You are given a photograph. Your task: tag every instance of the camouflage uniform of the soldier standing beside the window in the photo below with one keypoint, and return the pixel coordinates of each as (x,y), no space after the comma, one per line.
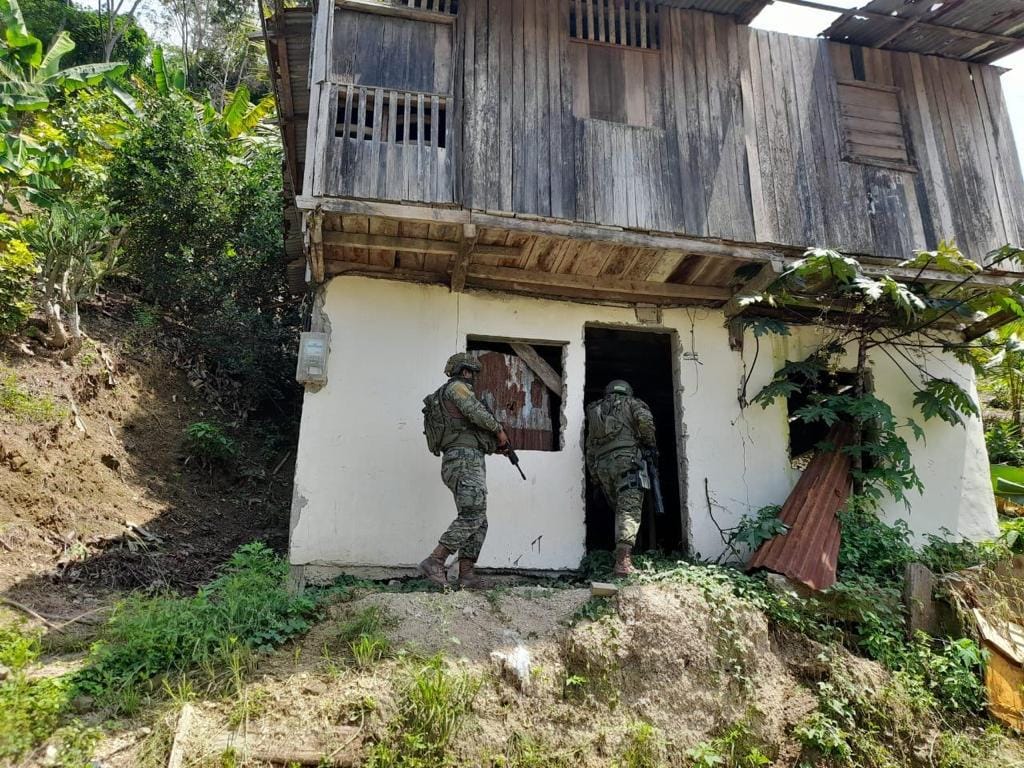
(474,435)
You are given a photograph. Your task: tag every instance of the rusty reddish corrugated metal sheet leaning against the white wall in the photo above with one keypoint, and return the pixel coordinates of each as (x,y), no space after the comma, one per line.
(809,552)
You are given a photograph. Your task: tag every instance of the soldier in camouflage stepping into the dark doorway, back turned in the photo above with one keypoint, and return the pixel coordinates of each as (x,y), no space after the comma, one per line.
(619,429)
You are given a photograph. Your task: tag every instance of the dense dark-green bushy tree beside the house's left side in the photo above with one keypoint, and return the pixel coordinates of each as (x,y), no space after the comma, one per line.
(202,206)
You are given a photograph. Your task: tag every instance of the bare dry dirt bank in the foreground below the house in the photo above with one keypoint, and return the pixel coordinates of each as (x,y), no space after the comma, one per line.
(665,655)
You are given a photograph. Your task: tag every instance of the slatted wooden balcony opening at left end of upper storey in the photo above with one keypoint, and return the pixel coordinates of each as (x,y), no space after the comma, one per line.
(394,117)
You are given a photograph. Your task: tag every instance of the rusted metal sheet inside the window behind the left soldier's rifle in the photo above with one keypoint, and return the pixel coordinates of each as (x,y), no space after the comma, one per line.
(520,400)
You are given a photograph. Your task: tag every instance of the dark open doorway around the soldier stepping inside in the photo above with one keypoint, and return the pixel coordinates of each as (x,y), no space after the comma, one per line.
(645,359)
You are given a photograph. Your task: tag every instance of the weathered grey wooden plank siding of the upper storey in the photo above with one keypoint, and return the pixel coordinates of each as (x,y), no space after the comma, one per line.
(720,132)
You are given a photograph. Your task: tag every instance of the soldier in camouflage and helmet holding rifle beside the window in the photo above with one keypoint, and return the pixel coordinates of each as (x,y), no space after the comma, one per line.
(473,434)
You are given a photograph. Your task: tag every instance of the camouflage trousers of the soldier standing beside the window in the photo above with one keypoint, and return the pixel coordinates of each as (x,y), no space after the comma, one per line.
(464,472)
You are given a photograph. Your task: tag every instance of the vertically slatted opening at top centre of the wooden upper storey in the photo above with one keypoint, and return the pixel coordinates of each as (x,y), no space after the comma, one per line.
(630,23)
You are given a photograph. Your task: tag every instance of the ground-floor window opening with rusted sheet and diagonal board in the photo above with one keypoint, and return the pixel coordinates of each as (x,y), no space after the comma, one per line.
(517,394)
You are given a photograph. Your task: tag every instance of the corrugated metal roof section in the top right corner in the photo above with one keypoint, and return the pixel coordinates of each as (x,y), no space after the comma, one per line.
(941,29)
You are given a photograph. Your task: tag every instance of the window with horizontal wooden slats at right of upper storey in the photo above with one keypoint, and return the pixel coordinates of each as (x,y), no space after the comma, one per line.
(874,131)
